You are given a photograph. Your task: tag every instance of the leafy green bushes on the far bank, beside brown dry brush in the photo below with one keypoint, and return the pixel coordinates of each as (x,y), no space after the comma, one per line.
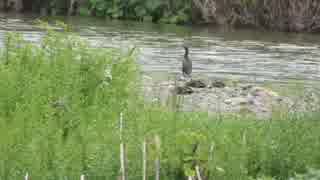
(168,11)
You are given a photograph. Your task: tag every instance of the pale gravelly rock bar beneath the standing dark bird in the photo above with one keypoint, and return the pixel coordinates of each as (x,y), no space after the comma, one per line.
(214,96)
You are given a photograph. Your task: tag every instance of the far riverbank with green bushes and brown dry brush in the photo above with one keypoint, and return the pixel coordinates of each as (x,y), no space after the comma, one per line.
(274,15)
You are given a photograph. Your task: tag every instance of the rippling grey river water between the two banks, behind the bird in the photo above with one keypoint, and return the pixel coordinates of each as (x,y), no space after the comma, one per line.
(244,55)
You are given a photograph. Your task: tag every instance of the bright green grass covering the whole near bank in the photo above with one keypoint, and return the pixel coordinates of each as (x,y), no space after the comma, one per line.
(59,118)
